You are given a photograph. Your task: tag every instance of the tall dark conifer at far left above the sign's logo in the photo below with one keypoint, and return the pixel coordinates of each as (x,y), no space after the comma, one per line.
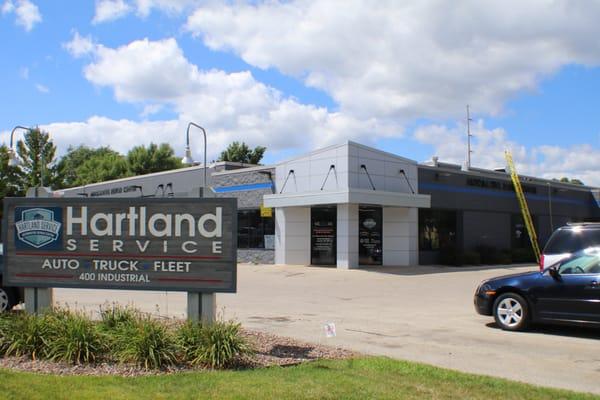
(37,153)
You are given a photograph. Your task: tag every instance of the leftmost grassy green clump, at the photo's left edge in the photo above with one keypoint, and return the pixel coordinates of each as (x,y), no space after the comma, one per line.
(27,335)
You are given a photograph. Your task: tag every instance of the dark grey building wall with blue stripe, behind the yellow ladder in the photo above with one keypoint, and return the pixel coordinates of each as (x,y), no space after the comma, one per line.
(486,205)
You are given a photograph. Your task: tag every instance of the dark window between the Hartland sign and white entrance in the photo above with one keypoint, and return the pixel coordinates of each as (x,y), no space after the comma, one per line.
(252,229)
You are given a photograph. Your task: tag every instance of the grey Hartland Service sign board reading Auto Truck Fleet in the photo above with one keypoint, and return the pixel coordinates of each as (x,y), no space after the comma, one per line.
(186,244)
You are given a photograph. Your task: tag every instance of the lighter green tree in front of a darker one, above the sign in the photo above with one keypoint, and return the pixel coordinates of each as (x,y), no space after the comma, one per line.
(101,167)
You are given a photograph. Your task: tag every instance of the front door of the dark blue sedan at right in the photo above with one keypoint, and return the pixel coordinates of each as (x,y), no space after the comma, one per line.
(575,295)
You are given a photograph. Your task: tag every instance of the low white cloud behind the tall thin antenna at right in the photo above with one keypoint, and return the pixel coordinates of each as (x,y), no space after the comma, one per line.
(449,143)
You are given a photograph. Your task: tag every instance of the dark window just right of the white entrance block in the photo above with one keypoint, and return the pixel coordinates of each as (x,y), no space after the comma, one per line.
(437,229)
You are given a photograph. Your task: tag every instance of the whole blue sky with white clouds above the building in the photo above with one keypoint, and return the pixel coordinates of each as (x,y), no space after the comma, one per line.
(297,76)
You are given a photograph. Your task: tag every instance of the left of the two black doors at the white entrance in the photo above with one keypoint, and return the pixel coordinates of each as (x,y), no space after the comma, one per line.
(323,236)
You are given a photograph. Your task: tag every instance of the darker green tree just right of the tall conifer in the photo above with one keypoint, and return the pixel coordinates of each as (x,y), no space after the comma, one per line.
(68,167)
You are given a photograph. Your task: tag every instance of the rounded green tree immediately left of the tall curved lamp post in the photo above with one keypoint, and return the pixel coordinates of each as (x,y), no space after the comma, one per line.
(145,160)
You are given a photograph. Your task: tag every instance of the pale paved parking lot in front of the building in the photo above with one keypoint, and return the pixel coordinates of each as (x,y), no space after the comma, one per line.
(416,313)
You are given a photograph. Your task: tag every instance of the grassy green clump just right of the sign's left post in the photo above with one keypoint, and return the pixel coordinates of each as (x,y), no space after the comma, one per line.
(75,339)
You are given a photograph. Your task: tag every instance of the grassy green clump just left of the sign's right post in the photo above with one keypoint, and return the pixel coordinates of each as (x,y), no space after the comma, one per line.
(146,342)
